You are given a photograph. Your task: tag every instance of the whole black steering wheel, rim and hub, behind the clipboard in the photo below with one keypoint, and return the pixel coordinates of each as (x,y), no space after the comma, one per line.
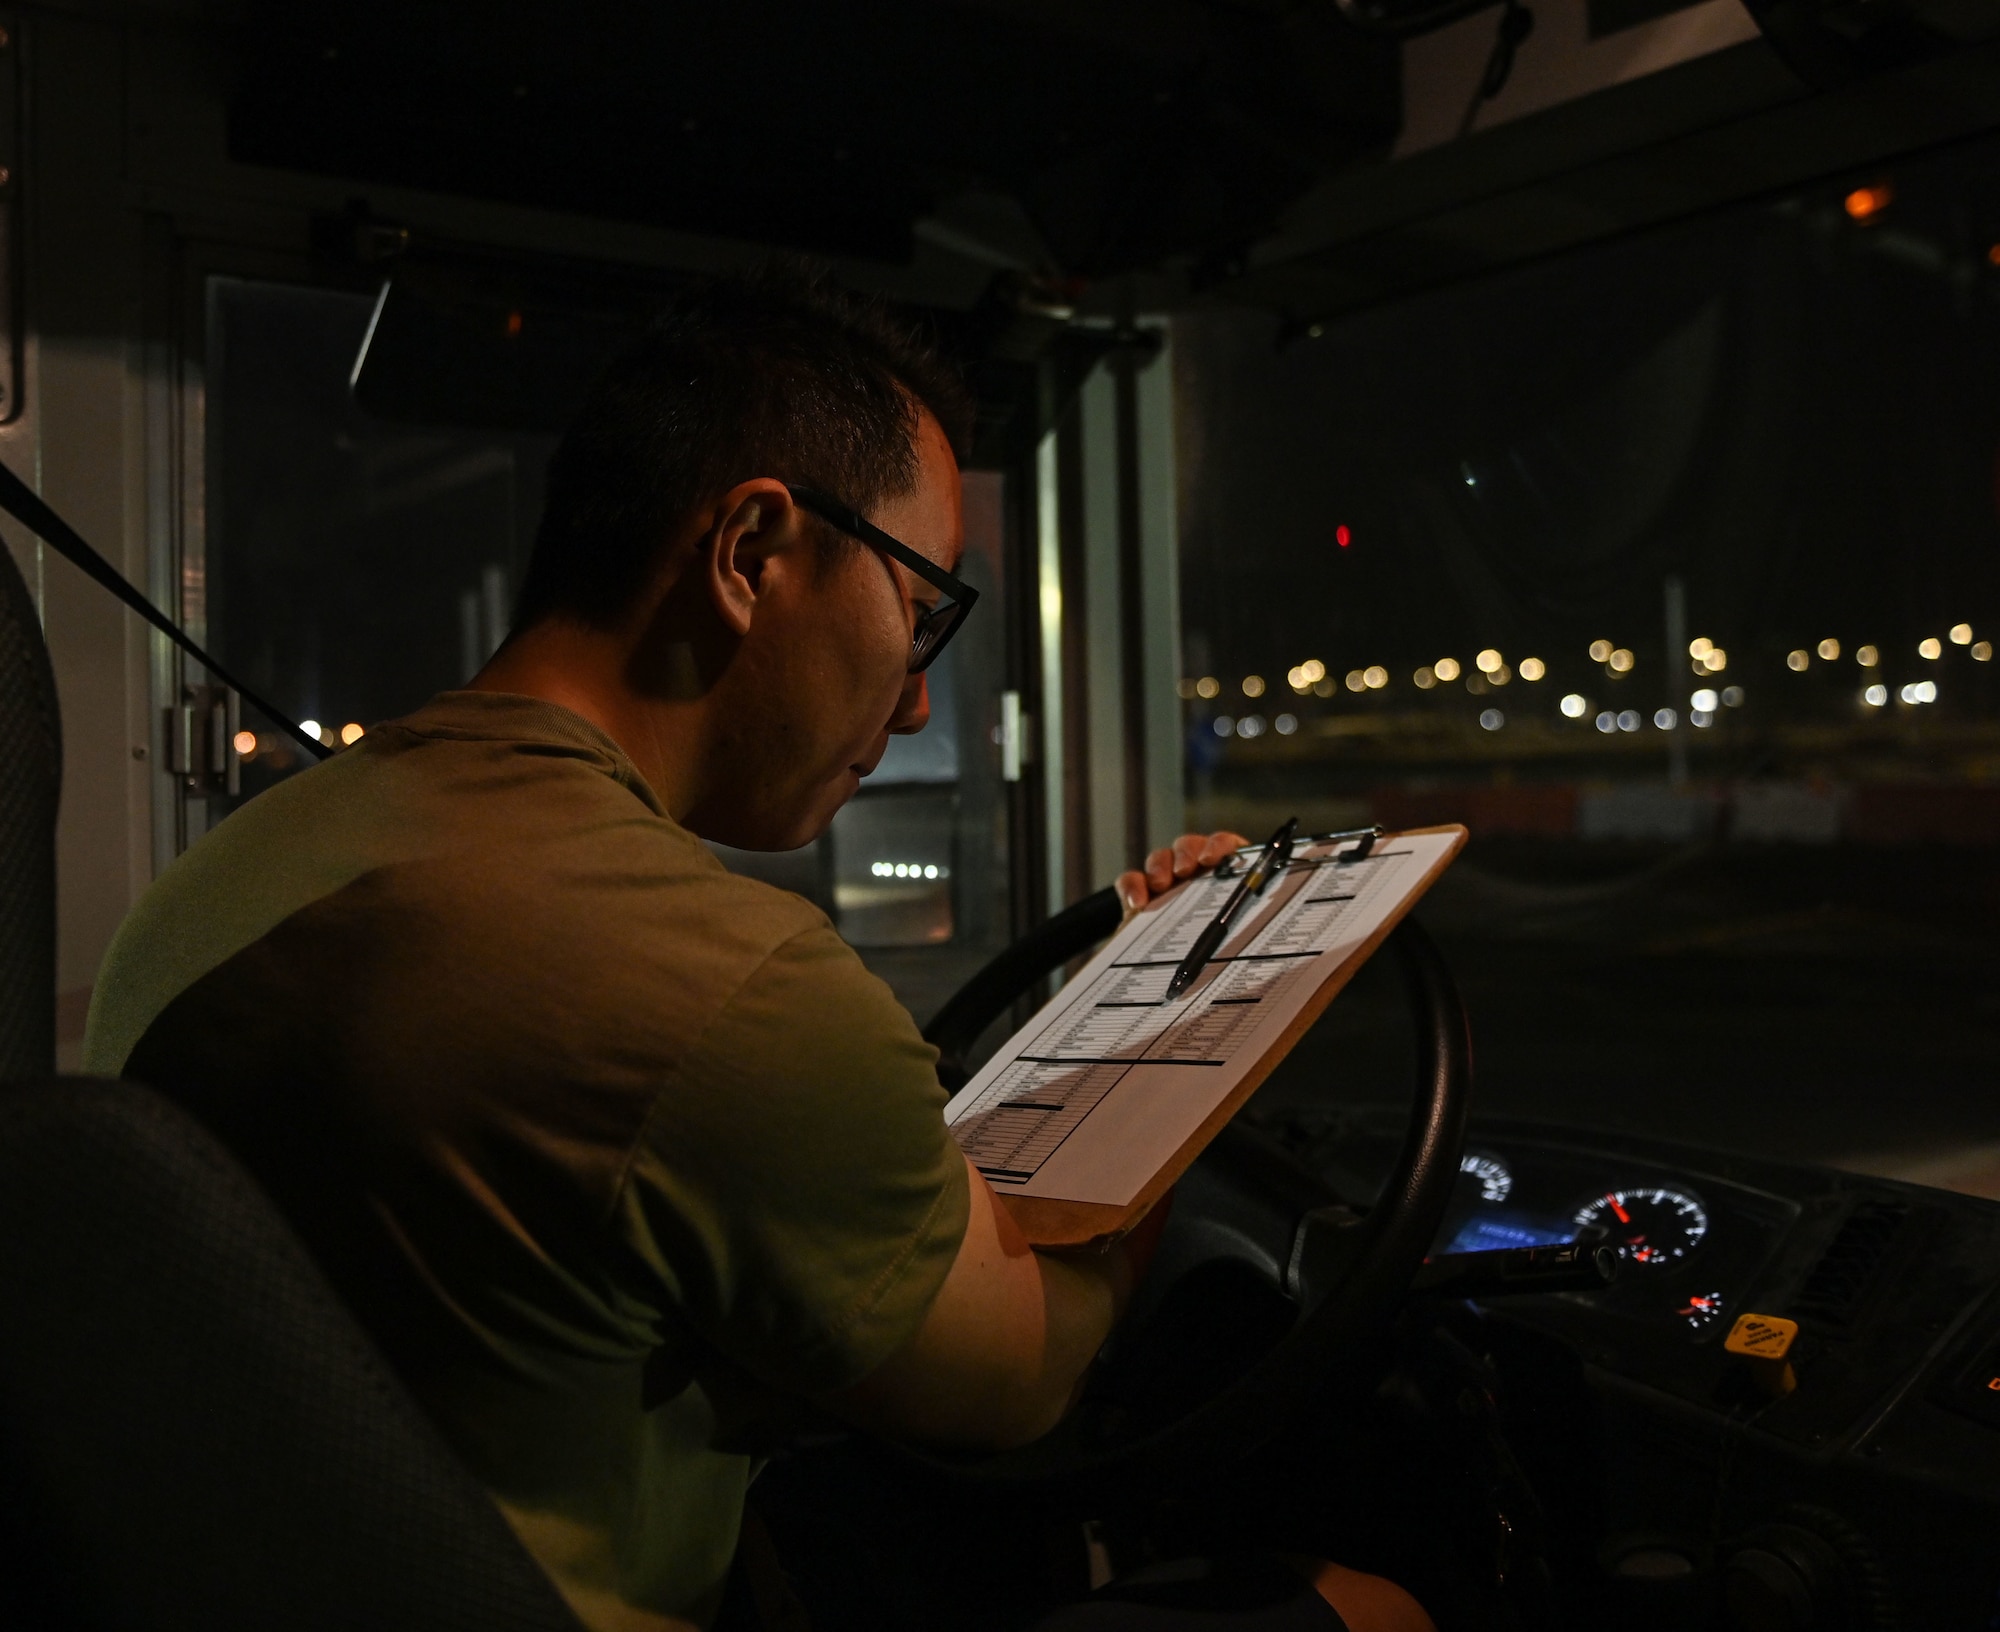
(1289,1261)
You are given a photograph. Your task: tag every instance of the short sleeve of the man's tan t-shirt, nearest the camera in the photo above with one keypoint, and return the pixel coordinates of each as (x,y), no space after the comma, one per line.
(797,1187)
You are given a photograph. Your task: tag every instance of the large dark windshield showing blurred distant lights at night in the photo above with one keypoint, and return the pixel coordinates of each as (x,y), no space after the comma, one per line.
(1673,571)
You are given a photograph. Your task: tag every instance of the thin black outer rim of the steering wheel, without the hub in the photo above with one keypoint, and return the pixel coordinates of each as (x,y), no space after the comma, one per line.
(1369,1273)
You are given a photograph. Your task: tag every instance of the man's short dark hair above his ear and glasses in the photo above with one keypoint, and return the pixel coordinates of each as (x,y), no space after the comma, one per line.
(777,373)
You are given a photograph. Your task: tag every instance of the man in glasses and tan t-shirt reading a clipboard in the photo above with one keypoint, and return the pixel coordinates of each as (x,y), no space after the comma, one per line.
(605,1143)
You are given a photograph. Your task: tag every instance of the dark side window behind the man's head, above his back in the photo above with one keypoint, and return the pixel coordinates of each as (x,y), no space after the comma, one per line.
(355,567)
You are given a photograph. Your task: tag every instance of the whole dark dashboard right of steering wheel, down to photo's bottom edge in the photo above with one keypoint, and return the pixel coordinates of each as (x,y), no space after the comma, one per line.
(1865,1479)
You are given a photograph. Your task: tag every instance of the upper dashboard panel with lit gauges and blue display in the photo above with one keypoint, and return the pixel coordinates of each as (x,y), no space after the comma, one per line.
(1895,1289)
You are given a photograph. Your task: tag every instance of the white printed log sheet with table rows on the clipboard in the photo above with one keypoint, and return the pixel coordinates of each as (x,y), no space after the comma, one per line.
(1111,1081)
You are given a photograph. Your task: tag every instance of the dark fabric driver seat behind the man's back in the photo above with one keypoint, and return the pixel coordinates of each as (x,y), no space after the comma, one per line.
(193,1429)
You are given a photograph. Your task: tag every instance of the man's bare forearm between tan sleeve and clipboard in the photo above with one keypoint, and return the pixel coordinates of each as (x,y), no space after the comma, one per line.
(1007,1343)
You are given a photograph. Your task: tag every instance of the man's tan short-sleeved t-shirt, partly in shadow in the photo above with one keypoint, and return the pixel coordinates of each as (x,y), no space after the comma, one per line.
(597,1137)
